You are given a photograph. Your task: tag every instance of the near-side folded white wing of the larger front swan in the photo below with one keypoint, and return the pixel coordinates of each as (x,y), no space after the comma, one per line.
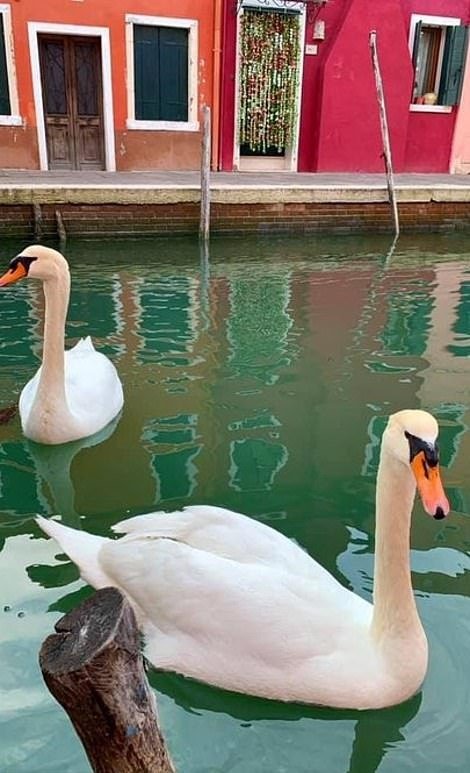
(244,626)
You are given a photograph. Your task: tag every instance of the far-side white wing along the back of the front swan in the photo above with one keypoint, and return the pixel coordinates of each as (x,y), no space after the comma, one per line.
(226,534)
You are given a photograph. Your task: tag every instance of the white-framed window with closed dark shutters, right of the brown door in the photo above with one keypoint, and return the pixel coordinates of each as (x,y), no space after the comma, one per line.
(162,71)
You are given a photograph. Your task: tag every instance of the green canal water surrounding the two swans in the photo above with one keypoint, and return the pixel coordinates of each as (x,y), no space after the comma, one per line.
(259,378)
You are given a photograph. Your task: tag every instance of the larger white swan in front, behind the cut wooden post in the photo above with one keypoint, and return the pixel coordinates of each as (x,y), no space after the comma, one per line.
(230,601)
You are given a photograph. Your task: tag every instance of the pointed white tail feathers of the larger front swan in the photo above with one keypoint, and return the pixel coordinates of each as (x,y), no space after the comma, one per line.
(82,548)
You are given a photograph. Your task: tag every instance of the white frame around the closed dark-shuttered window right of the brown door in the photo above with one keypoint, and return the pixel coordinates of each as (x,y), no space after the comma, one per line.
(192,124)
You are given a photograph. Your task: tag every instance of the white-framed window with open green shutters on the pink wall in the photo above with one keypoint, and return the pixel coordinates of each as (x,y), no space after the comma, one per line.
(439,48)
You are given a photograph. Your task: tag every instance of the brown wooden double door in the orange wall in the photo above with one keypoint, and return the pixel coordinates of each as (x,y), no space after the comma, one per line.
(73,104)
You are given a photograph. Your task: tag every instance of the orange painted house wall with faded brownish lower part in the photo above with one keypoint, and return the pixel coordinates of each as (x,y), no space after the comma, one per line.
(135,149)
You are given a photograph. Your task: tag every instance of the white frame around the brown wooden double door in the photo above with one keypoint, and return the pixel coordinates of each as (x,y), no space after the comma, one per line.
(36,28)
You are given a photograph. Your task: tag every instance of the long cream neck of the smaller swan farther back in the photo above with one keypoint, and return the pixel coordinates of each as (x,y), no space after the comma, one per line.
(51,387)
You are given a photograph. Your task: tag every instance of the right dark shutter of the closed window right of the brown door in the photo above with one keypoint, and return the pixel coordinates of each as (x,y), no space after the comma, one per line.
(173,74)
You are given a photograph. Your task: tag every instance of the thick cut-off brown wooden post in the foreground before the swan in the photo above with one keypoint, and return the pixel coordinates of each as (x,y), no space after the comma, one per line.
(93,667)
